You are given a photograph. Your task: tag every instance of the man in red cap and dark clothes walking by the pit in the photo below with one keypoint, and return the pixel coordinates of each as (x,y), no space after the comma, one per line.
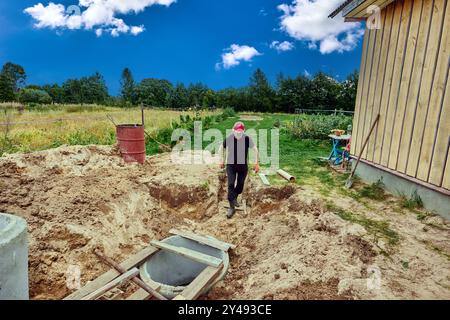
(237,146)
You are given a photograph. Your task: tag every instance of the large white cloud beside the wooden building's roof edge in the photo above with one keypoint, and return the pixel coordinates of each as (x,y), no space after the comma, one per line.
(307,20)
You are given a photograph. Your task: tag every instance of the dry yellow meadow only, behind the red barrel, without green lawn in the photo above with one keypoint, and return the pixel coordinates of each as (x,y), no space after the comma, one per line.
(72,125)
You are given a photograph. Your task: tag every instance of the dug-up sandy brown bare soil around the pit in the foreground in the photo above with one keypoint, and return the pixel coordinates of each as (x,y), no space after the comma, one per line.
(289,245)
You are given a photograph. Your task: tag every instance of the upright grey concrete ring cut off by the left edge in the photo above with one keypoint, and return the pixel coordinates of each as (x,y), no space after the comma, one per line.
(13,258)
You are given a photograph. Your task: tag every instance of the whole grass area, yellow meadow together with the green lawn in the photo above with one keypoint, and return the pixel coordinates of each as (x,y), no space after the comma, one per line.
(50,127)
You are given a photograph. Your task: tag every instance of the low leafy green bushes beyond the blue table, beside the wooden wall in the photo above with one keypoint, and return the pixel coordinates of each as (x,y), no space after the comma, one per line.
(318,126)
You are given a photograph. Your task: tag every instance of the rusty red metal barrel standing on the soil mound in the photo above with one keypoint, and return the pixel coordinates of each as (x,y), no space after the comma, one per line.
(131,139)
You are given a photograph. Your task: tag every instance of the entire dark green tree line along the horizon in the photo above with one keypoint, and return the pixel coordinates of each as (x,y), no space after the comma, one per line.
(319,92)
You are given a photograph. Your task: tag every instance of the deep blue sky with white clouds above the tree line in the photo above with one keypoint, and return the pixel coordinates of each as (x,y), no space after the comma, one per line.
(182,40)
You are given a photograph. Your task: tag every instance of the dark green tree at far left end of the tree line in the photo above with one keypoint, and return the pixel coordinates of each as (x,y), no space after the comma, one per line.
(12,78)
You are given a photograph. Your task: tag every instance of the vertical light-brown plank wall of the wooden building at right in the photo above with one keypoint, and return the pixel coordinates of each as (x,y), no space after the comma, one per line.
(404,76)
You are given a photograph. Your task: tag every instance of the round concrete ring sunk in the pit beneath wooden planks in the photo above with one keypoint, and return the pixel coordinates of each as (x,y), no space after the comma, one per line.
(173,272)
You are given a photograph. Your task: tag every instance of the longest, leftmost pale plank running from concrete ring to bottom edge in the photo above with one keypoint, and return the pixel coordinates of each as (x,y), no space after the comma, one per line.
(110,275)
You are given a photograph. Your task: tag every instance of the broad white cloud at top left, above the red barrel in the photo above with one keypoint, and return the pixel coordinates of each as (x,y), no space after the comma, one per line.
(100,15)
